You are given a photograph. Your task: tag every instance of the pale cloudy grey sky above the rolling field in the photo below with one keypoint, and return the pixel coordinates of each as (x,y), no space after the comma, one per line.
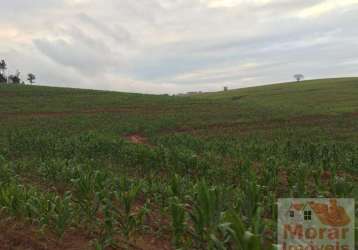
(175,46)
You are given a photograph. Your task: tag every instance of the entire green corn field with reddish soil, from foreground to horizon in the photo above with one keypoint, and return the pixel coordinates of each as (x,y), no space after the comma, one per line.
(84,169)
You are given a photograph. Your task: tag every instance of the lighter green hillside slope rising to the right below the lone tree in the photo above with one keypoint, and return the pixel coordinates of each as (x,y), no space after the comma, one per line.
(325,96)
